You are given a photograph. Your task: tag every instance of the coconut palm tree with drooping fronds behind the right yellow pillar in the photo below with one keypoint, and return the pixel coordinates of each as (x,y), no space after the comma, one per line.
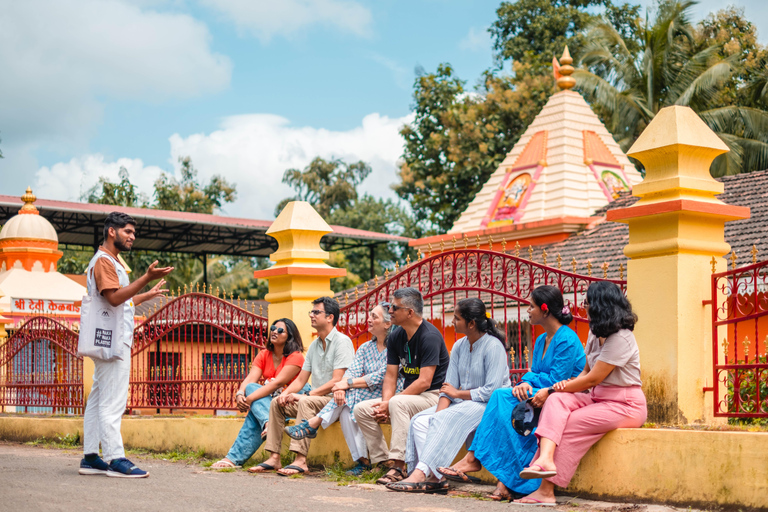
(670,68)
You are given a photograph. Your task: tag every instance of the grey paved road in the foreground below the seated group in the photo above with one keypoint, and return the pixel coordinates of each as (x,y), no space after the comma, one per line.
(35,479)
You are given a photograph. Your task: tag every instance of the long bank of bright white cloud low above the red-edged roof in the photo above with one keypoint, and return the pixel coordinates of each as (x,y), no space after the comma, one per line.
(253,151)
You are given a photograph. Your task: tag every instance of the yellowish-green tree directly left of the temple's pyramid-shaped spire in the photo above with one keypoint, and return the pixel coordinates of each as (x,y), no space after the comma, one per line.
(457,140)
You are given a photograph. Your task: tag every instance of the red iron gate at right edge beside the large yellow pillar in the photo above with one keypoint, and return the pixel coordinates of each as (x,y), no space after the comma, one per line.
(740,341)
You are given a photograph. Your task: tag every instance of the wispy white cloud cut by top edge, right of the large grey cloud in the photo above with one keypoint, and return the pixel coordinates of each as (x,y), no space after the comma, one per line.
(268,18)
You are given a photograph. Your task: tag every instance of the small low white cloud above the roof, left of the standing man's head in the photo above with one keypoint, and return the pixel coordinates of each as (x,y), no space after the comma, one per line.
(69,180)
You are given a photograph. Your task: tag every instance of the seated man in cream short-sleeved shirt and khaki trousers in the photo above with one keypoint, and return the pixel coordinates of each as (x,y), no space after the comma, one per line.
(328,357)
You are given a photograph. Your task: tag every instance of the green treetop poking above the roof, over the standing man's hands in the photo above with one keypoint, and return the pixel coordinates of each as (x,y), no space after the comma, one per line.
(189,195)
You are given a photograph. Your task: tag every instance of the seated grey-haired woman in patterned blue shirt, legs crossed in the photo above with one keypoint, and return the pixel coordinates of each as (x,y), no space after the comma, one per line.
(363,380)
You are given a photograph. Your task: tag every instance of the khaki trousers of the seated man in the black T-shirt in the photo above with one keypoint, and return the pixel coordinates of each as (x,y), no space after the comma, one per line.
(401,409)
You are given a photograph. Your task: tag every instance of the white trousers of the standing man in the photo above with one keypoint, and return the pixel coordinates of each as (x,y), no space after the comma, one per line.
(105,408)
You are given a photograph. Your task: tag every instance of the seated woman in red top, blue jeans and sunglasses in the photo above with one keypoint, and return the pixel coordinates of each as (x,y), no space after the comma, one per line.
(276,366)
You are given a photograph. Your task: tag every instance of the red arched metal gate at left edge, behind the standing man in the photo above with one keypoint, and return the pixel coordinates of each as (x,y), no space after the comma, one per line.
(40,370)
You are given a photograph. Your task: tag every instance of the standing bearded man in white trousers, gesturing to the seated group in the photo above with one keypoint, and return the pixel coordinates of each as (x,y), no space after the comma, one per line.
(109,394)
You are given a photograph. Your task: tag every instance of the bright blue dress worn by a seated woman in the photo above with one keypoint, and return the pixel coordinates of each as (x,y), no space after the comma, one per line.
(500,449)
